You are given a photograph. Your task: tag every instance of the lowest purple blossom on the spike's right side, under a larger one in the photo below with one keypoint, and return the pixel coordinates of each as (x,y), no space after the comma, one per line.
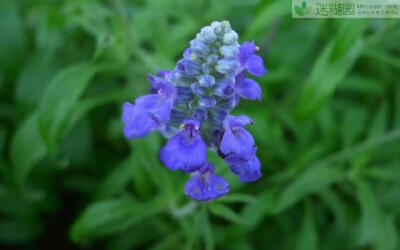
(247,170)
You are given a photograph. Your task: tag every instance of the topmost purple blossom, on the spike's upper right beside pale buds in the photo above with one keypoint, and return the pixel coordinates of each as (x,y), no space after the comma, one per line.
(249,60)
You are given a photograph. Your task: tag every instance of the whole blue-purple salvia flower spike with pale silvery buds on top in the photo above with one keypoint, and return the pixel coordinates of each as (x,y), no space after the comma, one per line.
(191,105)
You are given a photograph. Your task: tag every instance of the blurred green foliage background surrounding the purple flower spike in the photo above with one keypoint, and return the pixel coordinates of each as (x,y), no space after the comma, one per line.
(327,128)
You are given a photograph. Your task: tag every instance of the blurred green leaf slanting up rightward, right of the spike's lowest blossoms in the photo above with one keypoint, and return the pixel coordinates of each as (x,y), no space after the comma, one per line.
(310,181)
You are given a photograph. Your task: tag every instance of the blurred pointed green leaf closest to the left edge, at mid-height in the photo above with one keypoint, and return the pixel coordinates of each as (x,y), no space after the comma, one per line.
(27,148)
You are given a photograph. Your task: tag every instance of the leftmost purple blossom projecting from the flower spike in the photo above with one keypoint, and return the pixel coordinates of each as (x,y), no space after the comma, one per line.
(150,112)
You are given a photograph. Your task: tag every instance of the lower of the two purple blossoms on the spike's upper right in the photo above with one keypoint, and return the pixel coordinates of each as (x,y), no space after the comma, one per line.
(247,88)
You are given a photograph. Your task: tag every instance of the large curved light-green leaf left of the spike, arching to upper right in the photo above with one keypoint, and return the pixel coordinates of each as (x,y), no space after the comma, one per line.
(59,100)
